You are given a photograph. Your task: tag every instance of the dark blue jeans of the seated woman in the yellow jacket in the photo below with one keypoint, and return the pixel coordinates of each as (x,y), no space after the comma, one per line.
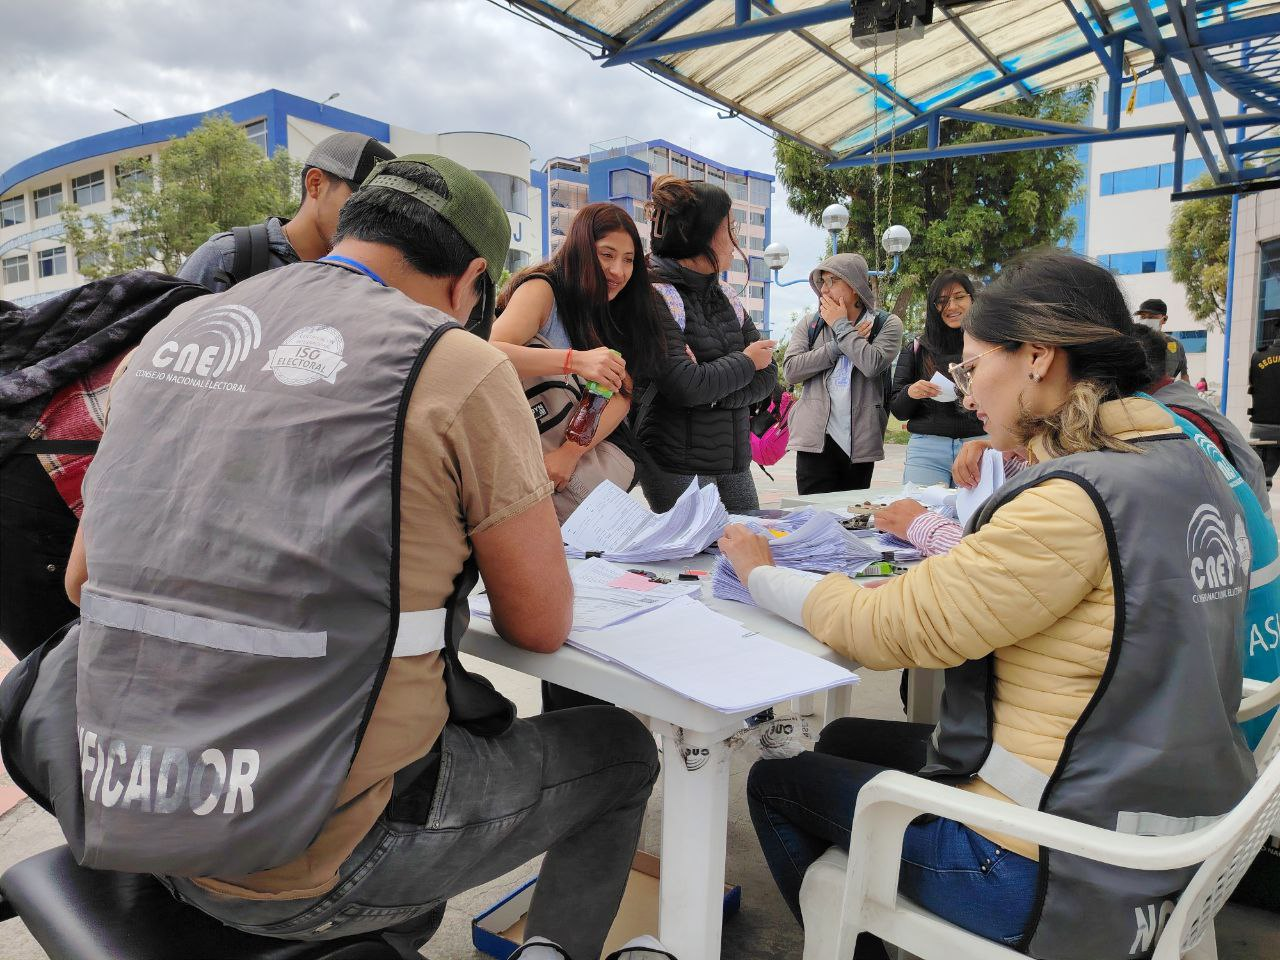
(804,806)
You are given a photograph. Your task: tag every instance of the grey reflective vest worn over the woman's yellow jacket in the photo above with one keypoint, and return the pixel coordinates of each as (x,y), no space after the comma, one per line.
(1156,751)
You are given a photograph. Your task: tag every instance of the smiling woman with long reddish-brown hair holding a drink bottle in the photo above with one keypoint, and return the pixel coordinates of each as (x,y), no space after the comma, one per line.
(588,313)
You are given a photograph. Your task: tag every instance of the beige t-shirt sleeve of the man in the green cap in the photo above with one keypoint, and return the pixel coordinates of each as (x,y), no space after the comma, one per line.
(500,456)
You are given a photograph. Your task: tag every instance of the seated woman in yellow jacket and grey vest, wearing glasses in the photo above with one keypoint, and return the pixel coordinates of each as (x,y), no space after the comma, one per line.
(1091,659)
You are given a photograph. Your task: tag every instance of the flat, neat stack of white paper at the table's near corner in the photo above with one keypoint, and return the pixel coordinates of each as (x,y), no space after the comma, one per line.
(711,659)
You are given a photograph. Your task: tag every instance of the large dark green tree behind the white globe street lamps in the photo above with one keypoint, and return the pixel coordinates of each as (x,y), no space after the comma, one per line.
(964,213)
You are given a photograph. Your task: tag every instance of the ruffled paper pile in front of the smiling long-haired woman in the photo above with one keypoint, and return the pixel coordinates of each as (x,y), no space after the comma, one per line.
(619,528)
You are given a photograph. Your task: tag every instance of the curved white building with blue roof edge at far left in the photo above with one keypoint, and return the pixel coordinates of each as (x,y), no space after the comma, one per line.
(38,263)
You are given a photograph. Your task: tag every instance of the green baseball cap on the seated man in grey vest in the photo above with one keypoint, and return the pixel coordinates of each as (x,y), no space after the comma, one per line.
(472,209)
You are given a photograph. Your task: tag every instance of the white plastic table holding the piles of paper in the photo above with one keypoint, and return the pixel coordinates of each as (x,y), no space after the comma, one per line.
(696,755)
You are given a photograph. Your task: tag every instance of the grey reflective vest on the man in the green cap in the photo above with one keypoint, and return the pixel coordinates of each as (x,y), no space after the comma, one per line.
(243,607)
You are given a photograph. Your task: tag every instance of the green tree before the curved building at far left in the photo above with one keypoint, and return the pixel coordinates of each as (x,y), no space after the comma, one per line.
(204,184)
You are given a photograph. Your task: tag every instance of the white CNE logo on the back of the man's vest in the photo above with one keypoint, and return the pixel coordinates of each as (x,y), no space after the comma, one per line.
(205,348)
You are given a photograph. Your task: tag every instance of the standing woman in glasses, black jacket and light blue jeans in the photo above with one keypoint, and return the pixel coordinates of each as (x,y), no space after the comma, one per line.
(939,428)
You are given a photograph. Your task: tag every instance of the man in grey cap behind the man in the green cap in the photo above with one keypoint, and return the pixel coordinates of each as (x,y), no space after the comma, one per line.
(335,170)
